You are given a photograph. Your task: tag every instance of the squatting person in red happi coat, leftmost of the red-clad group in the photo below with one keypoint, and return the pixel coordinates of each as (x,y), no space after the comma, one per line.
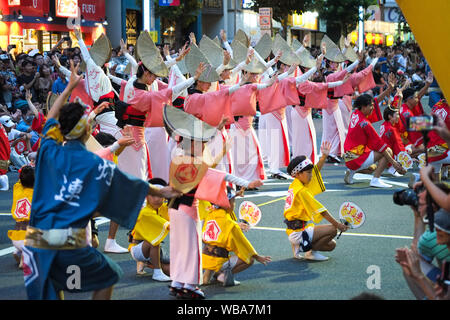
(363,146)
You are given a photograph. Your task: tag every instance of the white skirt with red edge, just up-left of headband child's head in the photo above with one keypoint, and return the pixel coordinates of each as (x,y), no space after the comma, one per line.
(275,135)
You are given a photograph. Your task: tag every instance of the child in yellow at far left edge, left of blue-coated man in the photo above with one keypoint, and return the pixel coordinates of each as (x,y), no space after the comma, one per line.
(20,210)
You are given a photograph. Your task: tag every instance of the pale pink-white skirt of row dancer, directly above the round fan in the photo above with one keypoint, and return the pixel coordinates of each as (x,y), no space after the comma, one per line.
(246,151)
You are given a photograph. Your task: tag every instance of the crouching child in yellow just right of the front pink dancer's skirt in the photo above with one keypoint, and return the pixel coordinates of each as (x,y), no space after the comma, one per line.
(221,235)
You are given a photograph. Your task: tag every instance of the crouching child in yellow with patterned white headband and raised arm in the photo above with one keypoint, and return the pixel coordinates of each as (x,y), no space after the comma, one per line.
(302,211)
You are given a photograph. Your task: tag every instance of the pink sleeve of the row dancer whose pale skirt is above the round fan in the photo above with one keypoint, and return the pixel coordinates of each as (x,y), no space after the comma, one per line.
(243,101)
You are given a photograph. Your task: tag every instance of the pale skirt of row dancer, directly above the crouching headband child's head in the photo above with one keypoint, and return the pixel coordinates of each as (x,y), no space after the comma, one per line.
(303,133)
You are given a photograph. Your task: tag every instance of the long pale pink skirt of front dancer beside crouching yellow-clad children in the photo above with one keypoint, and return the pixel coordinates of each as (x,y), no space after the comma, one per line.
(185,245)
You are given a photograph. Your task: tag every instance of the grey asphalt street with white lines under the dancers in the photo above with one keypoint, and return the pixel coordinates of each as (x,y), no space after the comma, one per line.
(363,260)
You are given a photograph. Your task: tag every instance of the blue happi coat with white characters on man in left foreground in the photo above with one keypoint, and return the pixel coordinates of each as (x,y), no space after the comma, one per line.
(71,185)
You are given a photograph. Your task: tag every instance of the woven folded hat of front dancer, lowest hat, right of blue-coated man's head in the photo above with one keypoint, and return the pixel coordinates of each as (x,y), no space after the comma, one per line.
(186,125)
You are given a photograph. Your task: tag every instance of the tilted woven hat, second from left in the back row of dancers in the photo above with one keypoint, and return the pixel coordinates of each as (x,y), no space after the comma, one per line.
(150,55)
